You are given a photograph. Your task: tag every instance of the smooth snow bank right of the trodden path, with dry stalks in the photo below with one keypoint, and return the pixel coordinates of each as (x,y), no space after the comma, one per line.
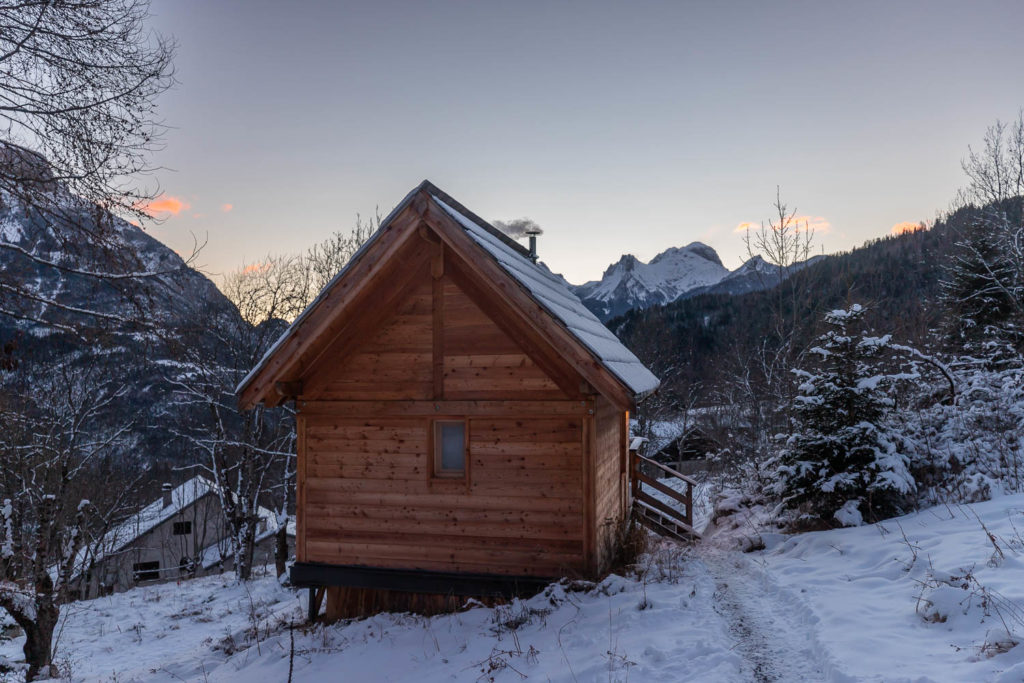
(926,597)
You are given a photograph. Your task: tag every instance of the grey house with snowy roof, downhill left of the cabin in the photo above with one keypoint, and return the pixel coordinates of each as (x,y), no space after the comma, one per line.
(181,536)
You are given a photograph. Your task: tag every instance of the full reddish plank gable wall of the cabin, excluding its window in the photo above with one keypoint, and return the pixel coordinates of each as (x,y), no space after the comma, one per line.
(368,493)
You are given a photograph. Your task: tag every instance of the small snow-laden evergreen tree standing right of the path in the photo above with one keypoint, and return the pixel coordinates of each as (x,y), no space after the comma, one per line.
(845,461)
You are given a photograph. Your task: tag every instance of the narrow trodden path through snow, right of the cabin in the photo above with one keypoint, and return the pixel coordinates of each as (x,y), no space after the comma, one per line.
(775,630)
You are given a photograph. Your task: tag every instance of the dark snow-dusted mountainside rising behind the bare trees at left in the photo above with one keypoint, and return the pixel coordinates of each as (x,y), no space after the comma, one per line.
(141,333)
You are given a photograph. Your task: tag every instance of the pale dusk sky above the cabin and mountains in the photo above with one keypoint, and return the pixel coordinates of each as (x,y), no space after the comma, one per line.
(620,127)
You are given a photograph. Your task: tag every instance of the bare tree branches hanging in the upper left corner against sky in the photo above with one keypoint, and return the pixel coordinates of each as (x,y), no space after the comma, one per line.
(78,87)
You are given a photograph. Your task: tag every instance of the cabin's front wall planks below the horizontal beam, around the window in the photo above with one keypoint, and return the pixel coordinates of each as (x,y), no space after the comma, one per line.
(369,497)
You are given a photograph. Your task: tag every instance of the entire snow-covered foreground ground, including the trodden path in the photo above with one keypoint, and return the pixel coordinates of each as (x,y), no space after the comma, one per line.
(933,596)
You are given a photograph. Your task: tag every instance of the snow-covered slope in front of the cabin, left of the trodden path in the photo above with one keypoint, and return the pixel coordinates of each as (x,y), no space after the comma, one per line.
(660,627)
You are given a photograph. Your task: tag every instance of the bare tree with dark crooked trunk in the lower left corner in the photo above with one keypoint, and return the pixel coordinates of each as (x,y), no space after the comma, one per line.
(55,505)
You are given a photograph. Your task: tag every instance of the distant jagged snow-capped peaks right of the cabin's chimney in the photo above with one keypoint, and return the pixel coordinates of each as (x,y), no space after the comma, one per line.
(632,284)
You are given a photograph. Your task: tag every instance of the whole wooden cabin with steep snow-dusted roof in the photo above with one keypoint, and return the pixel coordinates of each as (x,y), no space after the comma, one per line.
(462,418)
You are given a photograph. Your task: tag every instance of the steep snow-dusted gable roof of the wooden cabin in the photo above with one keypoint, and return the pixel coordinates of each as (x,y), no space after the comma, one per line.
(551,292)
